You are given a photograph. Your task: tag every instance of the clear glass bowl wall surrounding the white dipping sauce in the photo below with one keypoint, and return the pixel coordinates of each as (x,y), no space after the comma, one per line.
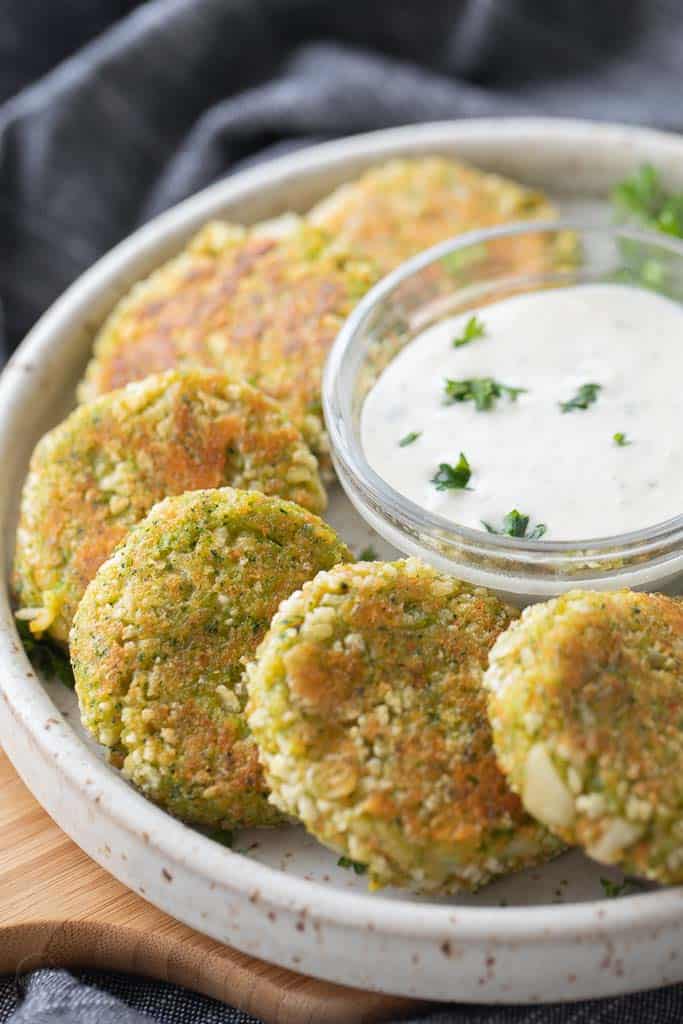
(469,273)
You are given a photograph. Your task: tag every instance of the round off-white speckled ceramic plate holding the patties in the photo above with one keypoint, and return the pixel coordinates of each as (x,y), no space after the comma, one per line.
(539,936)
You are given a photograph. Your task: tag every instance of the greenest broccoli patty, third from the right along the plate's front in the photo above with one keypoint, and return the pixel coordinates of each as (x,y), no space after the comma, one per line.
(160,637)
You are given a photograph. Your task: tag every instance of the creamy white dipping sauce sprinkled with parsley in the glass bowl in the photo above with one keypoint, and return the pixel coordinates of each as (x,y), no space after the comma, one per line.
(565,471)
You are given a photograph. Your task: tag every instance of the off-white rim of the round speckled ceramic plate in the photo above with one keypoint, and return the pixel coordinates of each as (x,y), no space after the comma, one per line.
(28,706)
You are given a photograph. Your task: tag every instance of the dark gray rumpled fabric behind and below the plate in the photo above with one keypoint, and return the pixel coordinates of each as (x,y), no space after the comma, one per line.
(112,111)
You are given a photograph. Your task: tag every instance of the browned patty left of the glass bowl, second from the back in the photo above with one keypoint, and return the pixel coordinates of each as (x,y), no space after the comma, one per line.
(268,309)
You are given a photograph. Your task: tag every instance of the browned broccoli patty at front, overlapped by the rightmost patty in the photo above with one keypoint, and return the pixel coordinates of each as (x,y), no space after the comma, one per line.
(366,701)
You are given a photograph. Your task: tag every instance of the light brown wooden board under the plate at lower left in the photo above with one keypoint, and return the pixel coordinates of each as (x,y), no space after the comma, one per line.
(60,909)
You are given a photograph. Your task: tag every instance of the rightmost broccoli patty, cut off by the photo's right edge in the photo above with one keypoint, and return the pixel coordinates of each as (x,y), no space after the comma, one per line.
(587,709)
